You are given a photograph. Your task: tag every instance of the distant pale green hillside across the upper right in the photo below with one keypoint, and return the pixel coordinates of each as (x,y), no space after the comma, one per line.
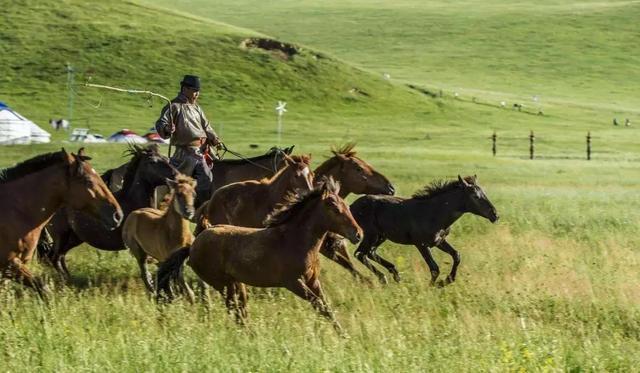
(579,52)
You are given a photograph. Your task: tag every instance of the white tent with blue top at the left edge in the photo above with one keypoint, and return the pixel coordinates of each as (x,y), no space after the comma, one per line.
(16,129)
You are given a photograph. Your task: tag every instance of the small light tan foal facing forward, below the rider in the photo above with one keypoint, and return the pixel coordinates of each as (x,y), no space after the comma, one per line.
(156,233)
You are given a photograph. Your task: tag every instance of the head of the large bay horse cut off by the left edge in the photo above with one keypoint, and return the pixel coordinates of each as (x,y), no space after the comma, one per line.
(88,192)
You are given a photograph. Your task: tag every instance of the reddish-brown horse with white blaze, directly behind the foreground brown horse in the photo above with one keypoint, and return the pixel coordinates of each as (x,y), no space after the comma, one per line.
(247,203)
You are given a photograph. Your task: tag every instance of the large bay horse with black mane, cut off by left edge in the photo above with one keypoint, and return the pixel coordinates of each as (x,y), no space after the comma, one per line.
(32,191)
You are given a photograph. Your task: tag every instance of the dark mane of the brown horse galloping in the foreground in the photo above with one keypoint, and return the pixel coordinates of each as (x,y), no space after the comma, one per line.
(295,202)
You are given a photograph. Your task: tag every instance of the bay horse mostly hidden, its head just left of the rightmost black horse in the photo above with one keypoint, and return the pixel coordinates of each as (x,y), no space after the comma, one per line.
(355,176)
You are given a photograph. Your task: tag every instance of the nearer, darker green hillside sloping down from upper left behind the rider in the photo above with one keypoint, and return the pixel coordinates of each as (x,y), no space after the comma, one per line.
(123,44)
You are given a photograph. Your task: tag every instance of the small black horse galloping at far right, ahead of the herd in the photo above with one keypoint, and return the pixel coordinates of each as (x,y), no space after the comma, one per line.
(423,220)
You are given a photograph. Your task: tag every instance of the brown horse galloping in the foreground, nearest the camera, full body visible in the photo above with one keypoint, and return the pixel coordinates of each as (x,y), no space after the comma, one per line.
(284,254)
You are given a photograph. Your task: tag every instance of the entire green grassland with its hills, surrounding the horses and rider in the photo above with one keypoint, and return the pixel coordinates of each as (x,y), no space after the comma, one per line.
(552,286)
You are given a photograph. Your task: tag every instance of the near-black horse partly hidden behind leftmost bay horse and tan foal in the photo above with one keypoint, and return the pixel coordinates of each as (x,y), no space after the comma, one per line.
(70,227)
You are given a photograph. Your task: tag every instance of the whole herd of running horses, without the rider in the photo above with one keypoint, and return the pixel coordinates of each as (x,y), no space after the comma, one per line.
(265,224)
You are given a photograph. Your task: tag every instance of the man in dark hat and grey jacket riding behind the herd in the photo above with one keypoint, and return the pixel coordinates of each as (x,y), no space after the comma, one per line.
(191,134)
